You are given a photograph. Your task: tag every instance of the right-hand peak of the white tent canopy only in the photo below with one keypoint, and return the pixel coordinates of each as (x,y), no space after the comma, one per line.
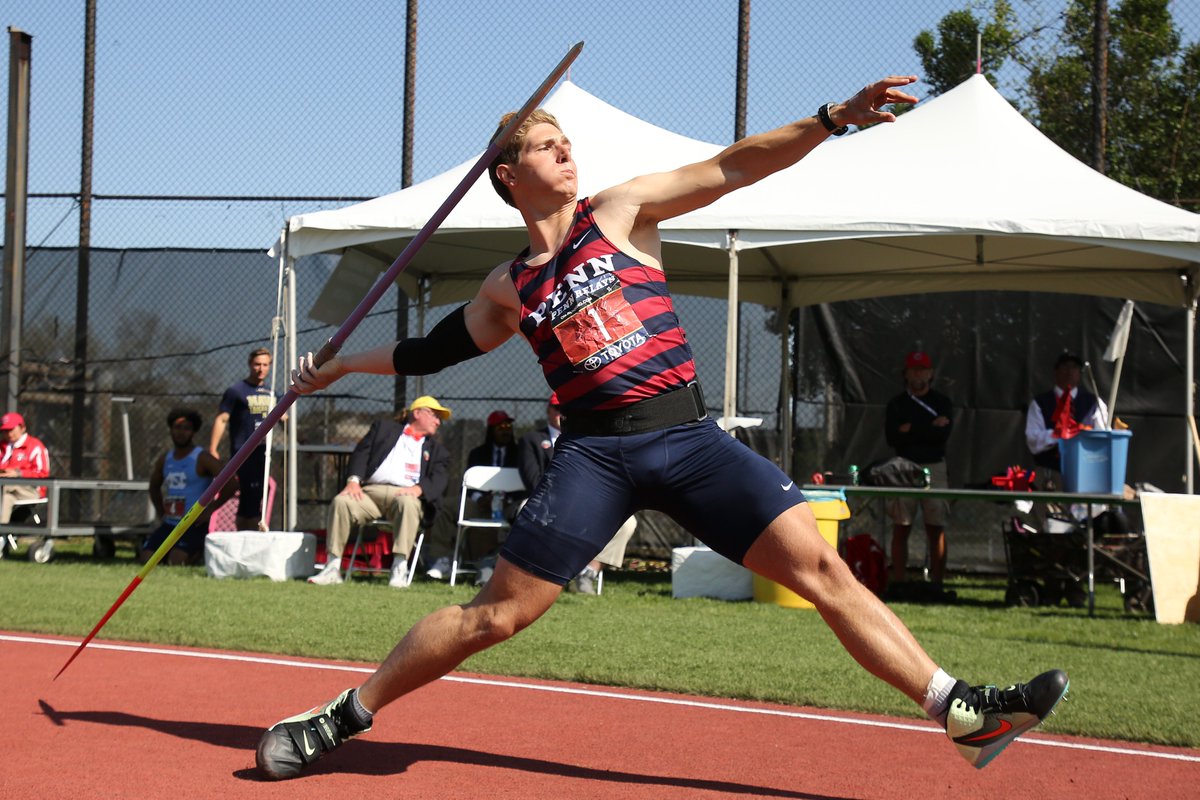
(962,194)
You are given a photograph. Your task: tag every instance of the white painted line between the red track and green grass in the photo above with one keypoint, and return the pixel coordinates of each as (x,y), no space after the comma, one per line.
(592,693)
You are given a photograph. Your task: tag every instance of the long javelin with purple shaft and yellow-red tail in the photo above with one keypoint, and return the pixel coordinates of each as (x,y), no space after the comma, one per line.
(335,344)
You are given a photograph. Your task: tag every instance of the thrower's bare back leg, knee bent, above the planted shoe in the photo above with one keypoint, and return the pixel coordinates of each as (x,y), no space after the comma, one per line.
(507,605)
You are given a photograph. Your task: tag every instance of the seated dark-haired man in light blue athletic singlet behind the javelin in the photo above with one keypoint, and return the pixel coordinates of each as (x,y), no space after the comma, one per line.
(178,479)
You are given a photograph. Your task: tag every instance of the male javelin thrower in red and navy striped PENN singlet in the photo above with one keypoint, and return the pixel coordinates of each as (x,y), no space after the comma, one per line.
(591,296)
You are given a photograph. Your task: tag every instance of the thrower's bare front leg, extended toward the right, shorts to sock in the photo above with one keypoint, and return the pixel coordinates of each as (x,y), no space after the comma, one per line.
(793,552)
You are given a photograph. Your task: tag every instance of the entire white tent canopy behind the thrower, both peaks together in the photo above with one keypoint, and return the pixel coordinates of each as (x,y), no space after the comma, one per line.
(961,194)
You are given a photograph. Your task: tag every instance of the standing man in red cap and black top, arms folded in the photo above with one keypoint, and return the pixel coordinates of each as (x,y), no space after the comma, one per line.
(917,426)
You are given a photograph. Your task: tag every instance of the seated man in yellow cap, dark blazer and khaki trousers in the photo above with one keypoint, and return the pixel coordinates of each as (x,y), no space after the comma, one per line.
(399,472)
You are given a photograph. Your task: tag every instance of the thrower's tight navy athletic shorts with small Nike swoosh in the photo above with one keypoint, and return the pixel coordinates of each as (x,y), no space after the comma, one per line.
(715,486)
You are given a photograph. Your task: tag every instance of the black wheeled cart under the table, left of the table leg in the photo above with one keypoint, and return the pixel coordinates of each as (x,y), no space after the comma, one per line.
(1046,568)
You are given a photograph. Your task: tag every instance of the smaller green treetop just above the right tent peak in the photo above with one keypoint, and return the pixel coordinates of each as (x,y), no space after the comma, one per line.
(950,58)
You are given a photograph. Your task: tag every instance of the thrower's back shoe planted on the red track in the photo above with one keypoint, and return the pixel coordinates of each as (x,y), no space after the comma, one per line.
(293,744)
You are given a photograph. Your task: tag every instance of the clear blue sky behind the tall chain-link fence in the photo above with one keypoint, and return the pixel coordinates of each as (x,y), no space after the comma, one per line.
(305,99)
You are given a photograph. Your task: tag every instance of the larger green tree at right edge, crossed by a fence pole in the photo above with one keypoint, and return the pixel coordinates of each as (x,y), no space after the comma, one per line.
(1154,142)
